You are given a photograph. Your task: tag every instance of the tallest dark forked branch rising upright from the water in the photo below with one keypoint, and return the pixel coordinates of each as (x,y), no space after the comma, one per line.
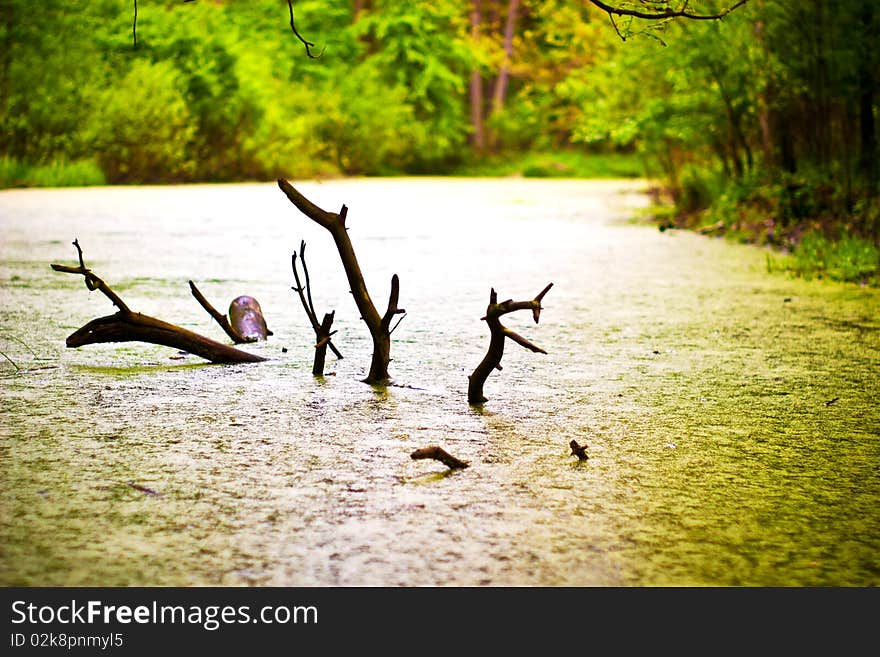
(379,325)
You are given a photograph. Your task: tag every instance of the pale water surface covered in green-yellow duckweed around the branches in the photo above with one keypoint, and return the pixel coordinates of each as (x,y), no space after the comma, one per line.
(702,385)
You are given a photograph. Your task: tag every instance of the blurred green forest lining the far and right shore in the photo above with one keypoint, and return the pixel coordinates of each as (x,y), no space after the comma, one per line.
(761,125)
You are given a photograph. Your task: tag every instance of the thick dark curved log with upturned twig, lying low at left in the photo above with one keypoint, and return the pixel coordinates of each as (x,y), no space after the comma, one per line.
(128,326)
